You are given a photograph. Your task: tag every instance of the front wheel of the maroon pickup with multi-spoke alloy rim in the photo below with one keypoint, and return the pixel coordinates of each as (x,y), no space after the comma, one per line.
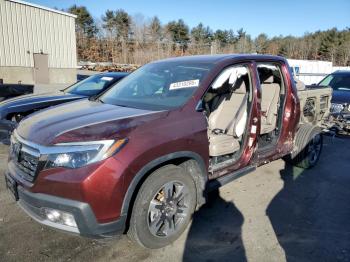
(163,207)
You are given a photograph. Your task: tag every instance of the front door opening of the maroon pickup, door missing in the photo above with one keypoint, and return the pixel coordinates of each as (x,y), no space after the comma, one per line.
(227,105)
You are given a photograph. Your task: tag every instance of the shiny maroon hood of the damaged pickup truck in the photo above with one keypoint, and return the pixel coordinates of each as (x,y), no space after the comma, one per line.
(82,120)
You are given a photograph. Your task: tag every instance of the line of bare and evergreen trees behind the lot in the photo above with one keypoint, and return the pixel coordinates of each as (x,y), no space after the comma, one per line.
(121,38)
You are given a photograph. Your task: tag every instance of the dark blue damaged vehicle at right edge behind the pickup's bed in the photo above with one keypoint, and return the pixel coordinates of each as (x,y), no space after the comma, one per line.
(340,110)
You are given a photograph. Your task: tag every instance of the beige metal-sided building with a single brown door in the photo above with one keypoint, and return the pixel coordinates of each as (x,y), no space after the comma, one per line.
(37,44)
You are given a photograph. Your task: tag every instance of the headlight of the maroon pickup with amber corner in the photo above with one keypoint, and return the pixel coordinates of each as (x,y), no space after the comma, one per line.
(75,155)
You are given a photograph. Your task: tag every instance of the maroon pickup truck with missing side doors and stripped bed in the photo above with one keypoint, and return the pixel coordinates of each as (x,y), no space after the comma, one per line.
(142,156)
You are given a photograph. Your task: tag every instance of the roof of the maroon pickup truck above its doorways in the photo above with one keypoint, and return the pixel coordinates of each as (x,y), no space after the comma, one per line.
(222,57)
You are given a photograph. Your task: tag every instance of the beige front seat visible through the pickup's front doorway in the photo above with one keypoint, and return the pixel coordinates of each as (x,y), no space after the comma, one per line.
(227,122)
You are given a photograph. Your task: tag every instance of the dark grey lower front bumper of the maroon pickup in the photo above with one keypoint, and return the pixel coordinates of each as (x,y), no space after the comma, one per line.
(80,215)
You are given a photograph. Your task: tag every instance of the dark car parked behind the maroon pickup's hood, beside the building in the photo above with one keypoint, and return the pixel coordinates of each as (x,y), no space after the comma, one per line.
(14,110)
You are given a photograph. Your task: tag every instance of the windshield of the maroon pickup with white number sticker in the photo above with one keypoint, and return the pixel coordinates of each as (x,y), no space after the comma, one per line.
(158,86)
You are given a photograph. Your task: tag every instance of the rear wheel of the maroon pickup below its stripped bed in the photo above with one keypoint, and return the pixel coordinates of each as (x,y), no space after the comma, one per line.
(309,142)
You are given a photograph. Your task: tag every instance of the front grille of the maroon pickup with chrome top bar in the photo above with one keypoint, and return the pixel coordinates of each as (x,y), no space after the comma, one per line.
(25,158)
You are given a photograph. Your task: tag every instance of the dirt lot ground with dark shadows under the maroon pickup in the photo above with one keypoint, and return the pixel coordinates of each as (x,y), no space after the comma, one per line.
(277,213)
